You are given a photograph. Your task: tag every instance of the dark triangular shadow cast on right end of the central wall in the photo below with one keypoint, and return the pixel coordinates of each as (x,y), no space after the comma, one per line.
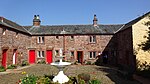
(109,54)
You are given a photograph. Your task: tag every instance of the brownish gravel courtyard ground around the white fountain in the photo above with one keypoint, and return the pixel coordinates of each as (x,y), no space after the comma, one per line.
(105,74)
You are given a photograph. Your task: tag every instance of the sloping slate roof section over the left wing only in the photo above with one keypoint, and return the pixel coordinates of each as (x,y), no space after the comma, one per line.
(12,25)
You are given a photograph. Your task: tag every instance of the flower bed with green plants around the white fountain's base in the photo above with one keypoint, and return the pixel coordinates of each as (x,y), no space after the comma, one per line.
(83,78)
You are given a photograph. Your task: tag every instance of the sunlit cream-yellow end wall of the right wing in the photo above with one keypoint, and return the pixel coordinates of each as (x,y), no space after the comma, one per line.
(139,33)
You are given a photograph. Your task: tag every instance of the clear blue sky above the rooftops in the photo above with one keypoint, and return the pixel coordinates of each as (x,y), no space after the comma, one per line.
(72,12)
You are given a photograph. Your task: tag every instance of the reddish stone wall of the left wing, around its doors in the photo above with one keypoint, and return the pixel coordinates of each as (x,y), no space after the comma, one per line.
(14,40)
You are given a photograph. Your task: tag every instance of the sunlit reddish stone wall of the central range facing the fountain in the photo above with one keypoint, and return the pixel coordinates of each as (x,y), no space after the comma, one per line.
(77,43)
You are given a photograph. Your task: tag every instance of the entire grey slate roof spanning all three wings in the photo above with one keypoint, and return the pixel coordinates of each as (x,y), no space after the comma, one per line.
(70,29)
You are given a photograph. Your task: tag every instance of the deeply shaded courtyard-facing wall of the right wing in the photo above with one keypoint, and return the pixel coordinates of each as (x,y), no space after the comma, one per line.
(125,55)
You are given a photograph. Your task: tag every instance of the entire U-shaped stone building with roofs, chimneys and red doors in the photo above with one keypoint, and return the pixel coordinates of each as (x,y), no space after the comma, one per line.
(80,43)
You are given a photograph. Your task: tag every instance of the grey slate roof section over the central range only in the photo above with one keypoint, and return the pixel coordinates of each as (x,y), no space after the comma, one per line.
(73,29)
